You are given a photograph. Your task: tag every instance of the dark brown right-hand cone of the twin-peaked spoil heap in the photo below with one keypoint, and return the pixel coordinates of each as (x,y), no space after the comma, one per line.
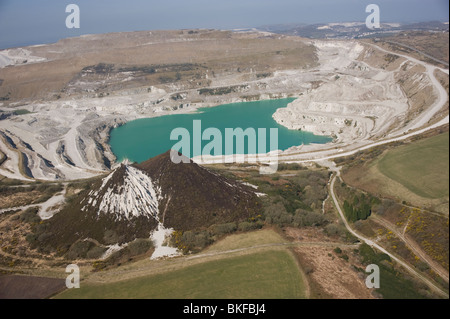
(193,197)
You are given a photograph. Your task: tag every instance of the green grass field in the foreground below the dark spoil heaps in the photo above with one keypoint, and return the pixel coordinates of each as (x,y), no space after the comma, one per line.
(271,274)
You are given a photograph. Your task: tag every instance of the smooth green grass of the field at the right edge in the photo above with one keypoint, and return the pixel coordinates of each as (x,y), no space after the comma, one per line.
(422,166)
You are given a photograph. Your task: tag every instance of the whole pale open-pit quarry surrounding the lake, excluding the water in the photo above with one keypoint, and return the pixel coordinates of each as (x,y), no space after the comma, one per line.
(59,101)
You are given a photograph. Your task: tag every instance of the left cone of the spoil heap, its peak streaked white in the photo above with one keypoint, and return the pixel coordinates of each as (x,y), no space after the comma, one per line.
(100,213)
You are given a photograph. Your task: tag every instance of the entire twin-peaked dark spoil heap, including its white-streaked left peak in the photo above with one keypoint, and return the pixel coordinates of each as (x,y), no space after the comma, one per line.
(133,200)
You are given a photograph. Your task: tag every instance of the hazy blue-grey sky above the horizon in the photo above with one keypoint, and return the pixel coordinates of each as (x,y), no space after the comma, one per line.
(24,22)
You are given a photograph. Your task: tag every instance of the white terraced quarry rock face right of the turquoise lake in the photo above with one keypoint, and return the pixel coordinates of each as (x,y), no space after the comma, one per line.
(359,99)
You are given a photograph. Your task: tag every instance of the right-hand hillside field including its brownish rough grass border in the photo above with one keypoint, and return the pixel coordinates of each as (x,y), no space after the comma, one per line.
(416,173)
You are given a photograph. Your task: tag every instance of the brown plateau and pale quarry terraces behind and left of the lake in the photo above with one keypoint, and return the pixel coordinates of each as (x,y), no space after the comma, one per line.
(92,83)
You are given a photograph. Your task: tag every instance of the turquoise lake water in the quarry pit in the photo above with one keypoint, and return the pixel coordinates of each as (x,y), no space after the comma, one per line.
(142,139)
